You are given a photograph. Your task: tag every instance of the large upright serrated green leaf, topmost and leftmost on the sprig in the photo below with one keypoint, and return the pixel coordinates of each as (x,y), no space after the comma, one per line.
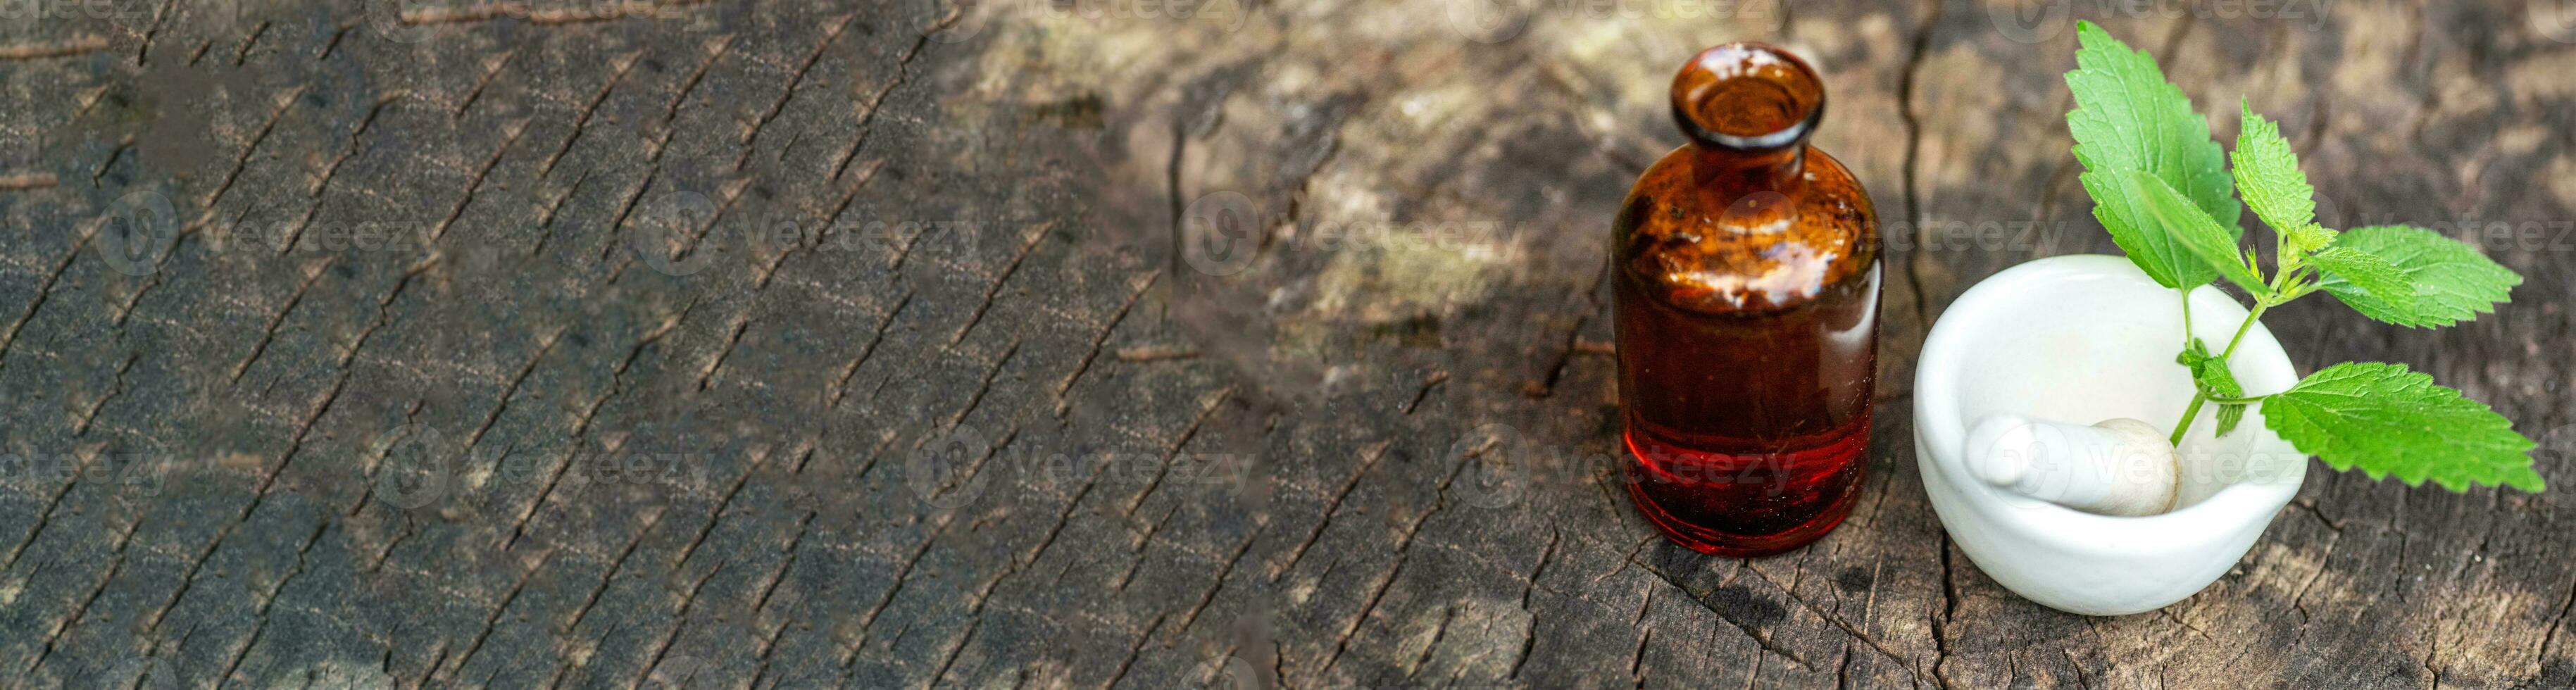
(2129,117)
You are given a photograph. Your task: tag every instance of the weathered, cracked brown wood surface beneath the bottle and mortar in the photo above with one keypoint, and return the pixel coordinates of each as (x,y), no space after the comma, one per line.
(540,452)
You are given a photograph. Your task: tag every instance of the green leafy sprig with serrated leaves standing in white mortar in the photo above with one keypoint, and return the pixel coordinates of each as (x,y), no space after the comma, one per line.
(2168,197)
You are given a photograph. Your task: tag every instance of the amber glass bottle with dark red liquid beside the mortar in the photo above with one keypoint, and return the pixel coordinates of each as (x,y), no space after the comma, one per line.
(1748,315)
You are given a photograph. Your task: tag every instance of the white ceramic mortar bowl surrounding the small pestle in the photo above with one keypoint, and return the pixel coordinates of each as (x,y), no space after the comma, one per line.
(2093,339)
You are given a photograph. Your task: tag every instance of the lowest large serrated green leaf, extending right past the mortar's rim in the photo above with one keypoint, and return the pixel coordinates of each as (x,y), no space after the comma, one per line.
(2389,421)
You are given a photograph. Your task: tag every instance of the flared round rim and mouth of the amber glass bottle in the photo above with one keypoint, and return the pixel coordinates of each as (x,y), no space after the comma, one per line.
(1748,99)
